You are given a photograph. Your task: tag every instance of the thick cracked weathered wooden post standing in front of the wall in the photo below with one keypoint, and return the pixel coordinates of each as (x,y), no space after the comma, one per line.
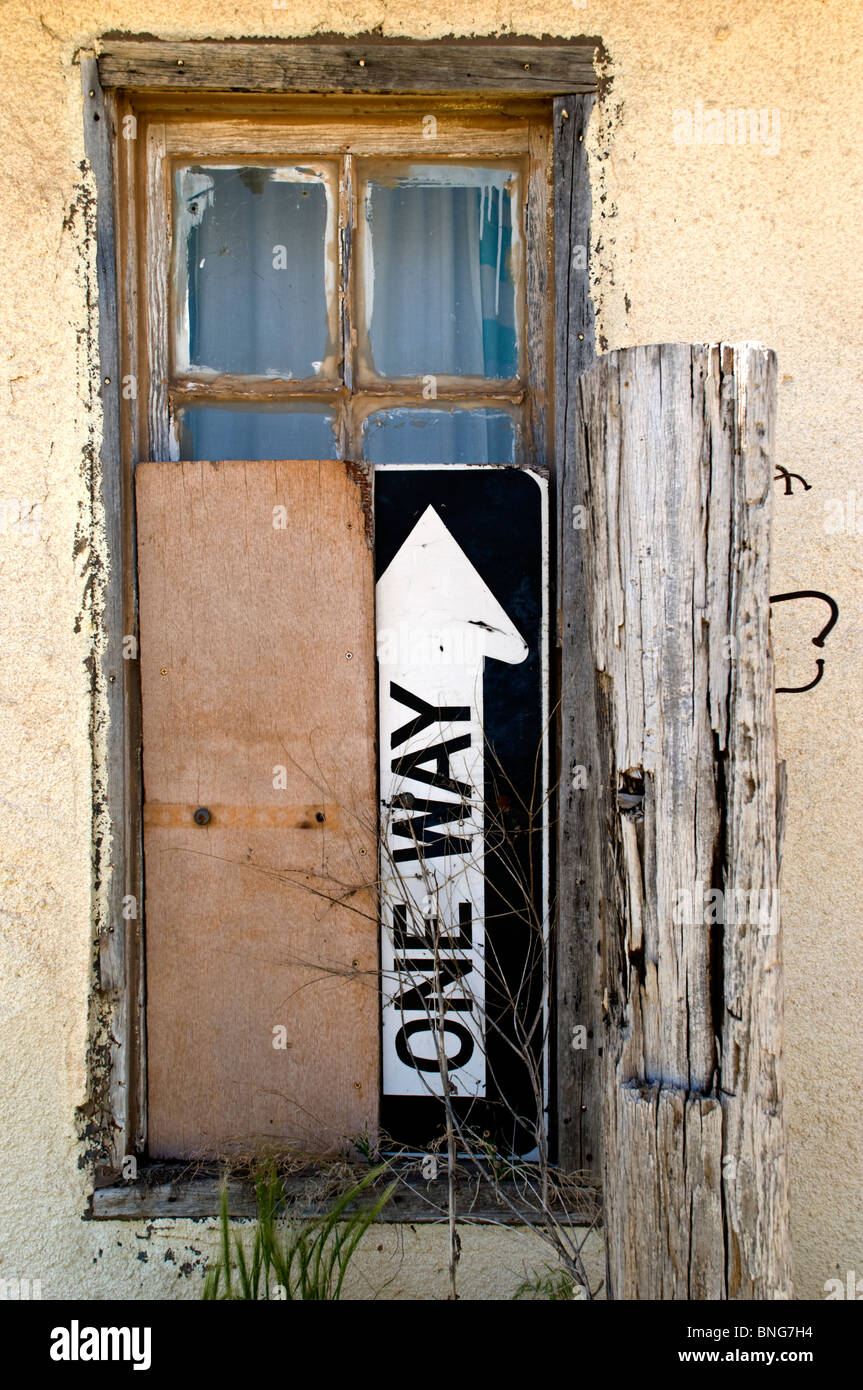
(673,464)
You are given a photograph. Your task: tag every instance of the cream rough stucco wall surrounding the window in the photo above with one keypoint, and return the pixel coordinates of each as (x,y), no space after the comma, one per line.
(697,243)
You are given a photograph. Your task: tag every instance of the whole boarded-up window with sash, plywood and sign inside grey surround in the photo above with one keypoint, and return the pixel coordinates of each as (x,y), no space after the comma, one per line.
(319,291)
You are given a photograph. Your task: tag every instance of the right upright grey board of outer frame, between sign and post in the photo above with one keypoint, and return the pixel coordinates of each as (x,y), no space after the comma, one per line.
(579,821)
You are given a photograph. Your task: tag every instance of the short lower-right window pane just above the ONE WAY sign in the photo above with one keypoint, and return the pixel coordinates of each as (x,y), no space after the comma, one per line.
(412,436)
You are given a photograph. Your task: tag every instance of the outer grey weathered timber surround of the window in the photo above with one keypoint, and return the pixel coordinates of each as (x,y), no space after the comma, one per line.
(566,76)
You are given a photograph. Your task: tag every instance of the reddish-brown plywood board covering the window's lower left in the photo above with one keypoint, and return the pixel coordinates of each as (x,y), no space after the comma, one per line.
(258,683)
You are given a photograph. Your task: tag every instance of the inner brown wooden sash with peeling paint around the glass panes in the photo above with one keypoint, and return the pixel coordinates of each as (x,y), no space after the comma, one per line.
(172,133)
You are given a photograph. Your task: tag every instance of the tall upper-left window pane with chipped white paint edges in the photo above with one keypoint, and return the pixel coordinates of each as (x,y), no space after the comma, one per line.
(255,254)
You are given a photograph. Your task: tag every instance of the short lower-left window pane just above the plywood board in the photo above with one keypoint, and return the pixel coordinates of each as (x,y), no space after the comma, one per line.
(298,432)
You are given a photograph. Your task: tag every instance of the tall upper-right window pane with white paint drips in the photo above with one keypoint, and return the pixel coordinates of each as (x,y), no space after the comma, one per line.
(440,272)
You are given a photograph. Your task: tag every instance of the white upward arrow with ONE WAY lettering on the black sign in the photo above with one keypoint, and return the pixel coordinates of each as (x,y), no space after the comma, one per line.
(437,622)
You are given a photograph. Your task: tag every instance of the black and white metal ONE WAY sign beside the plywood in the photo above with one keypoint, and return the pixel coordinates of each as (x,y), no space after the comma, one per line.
(463,710)
